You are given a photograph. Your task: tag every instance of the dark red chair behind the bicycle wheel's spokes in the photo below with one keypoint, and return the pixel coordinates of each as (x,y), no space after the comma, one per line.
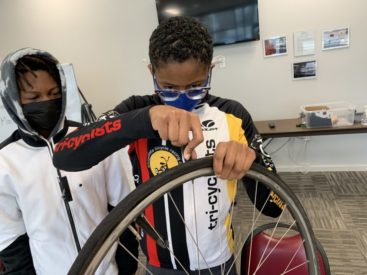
(279,259)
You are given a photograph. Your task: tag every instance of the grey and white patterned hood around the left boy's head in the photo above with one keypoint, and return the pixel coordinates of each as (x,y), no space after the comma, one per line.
(9,92)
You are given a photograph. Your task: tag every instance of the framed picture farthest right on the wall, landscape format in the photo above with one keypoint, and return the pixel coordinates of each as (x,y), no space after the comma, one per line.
(334,39)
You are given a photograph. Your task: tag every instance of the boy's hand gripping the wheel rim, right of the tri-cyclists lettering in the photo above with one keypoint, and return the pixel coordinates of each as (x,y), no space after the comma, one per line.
(232,160)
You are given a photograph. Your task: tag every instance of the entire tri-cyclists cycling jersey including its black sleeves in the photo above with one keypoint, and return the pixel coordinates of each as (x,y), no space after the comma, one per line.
(204,206)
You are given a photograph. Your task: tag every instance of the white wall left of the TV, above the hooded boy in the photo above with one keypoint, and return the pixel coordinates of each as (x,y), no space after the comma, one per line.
(105,40)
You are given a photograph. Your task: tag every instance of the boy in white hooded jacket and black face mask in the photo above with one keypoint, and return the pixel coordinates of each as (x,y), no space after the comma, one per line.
(47,214)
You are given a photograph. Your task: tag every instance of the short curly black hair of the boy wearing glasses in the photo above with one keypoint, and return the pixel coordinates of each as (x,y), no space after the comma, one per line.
(178,39)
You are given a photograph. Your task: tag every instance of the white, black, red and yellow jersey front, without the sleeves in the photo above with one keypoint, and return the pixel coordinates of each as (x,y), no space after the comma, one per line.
(204,203)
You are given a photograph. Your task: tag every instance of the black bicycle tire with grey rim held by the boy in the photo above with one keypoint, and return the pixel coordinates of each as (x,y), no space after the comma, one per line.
(117,221)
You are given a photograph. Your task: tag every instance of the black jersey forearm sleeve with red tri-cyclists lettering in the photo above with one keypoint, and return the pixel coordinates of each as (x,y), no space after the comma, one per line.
(90,144)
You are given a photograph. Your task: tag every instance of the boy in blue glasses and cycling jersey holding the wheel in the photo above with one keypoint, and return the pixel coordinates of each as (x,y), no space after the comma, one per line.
(181,52)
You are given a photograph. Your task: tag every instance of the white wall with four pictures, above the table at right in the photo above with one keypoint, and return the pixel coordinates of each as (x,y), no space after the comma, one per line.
(341,73)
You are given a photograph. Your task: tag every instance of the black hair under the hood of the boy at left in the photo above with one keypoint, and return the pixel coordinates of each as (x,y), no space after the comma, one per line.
(31,63)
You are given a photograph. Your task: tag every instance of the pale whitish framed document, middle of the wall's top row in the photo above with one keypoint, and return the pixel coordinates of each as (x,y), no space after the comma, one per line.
(304,43)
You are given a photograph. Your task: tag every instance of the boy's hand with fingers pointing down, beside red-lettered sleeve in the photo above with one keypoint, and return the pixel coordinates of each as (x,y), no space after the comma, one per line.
(175,125)
